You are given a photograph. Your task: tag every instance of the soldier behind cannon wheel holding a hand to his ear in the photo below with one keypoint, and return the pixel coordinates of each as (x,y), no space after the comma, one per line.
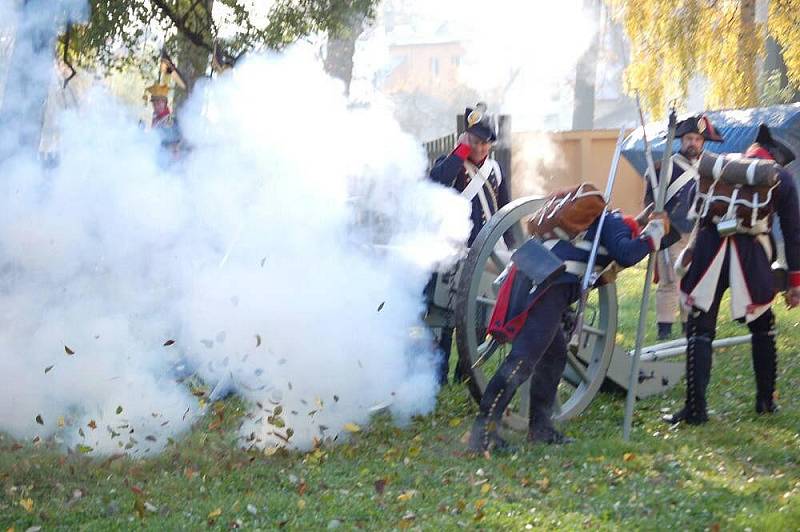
(478,178)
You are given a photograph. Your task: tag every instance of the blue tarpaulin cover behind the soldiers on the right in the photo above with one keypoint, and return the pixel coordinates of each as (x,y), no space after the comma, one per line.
(738,127)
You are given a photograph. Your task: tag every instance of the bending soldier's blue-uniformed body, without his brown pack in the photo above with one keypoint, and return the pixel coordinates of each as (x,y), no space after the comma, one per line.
(533,319)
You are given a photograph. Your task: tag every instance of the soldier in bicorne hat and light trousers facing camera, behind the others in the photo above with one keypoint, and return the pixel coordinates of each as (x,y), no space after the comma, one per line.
(694,132)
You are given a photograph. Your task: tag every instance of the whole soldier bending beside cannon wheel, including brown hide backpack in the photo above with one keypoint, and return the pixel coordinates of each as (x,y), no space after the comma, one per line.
(534,298)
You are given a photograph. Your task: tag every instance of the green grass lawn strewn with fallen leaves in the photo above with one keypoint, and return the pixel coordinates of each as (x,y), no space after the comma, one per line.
(739,471)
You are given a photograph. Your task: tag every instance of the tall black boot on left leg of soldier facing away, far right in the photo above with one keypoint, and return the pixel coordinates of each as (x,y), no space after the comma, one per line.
(698,374)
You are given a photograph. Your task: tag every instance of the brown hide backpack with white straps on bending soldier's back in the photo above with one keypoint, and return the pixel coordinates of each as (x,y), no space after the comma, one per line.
(567,213)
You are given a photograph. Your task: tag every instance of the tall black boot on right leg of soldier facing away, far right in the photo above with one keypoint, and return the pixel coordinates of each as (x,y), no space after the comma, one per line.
(765,362)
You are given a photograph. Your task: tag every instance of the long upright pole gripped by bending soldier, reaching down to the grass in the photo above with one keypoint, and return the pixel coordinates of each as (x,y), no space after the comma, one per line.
(633,379)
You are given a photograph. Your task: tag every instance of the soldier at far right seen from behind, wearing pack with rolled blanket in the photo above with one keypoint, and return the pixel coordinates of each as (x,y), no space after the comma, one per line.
(734,248)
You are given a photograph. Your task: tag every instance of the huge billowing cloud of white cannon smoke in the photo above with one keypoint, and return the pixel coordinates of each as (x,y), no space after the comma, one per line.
(285,254)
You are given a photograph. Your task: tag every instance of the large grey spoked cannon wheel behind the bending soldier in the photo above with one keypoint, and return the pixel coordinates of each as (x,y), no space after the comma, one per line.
(475,300)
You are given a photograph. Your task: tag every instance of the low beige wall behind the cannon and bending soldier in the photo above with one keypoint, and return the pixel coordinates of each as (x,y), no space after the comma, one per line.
(544,162)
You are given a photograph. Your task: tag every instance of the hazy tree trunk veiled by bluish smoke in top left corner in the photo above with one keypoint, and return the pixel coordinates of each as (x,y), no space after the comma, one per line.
(30,74)
